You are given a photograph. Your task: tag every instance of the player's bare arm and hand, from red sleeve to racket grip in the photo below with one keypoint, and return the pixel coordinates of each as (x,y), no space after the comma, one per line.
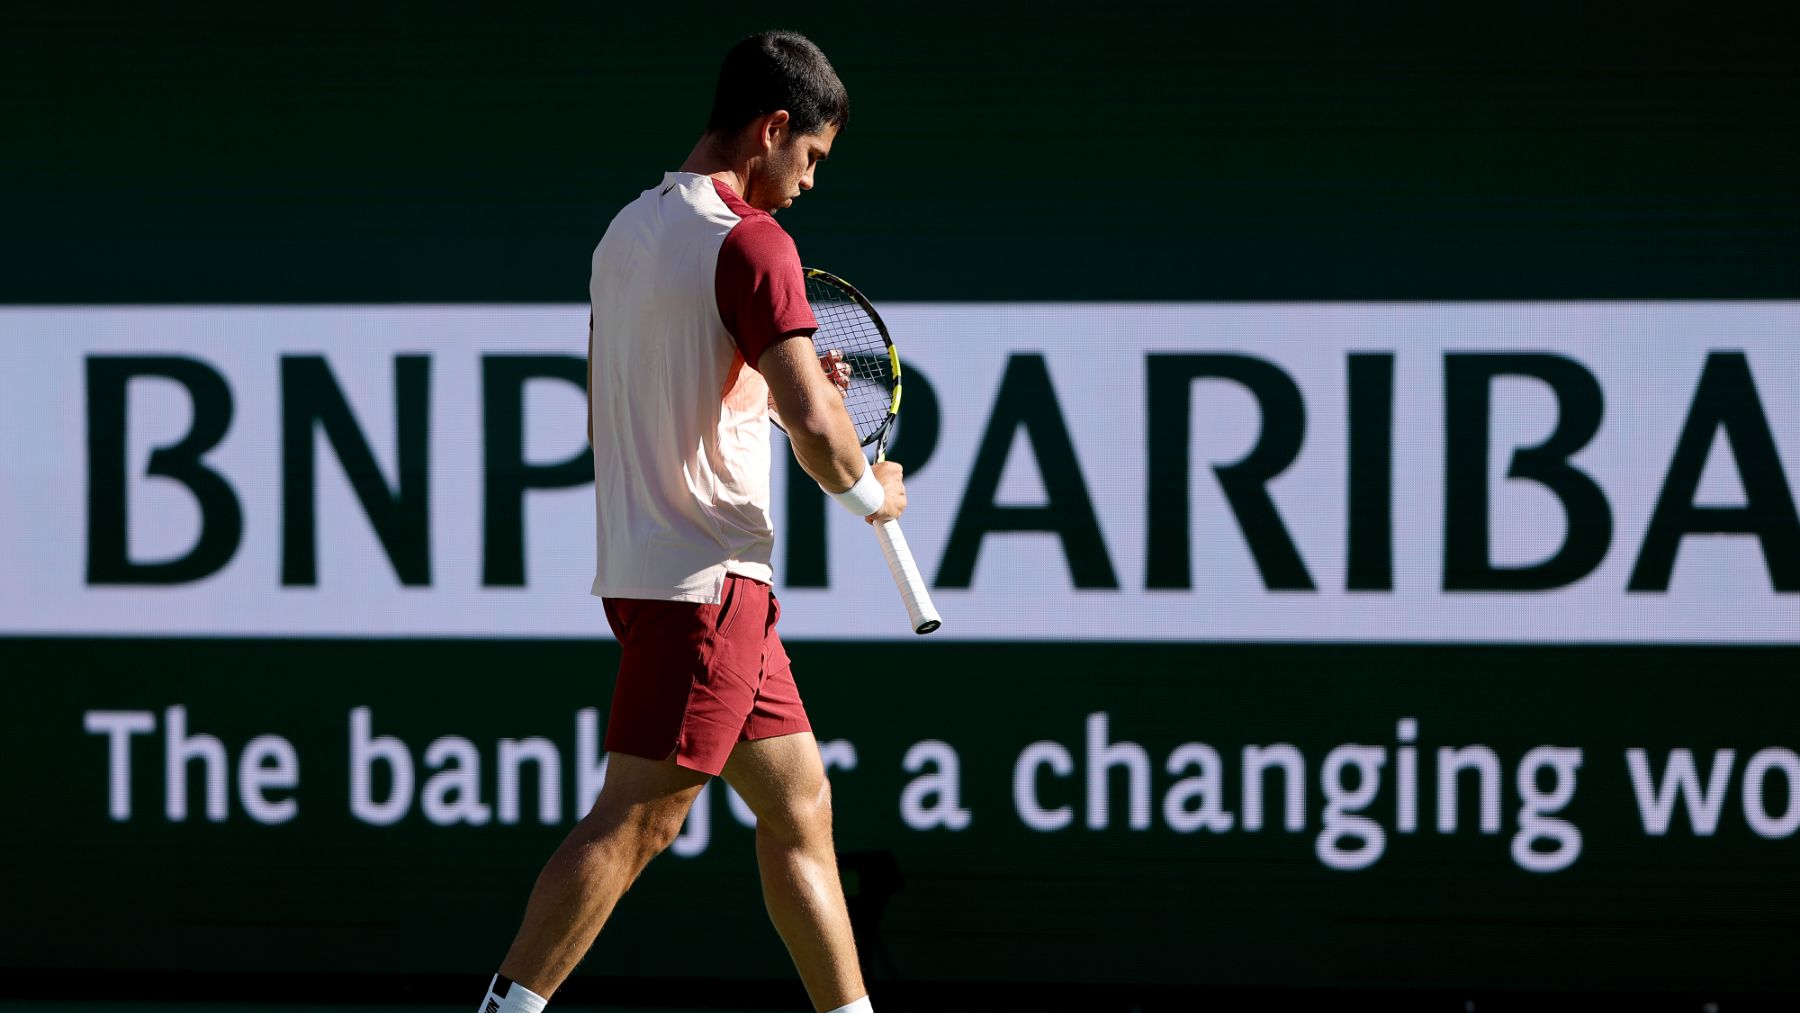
(813,413)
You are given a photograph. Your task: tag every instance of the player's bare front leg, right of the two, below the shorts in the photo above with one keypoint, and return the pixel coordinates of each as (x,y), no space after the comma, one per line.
(784,784)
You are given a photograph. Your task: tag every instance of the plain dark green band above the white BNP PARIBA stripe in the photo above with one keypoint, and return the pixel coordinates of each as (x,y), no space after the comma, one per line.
(463,152)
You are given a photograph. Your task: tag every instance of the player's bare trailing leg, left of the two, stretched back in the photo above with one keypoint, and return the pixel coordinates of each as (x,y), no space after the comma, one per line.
(638,814)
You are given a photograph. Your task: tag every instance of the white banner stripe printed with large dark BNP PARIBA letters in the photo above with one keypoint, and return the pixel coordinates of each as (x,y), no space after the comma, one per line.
(1088,373)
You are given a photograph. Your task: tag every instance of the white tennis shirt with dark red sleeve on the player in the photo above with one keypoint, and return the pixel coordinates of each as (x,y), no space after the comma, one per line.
(690,285)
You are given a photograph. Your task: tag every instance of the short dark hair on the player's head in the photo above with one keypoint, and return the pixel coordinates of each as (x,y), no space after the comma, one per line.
(778,71)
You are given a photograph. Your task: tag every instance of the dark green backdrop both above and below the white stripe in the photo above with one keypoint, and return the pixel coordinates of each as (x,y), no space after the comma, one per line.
(474,154)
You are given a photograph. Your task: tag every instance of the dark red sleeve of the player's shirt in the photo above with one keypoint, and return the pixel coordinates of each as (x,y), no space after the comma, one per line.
(762,292)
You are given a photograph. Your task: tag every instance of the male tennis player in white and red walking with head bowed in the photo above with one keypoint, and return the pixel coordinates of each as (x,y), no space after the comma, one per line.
(701,319)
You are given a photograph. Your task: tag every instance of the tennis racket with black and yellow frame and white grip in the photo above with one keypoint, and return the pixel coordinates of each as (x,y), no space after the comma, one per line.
(849,325)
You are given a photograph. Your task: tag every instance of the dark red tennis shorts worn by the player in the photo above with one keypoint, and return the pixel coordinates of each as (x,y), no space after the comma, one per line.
(699,679)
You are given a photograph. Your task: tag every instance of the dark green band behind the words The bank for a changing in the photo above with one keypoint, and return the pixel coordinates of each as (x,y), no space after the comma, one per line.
(994,902)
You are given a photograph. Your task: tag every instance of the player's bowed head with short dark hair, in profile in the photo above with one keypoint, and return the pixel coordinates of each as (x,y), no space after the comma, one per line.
(778,107)
